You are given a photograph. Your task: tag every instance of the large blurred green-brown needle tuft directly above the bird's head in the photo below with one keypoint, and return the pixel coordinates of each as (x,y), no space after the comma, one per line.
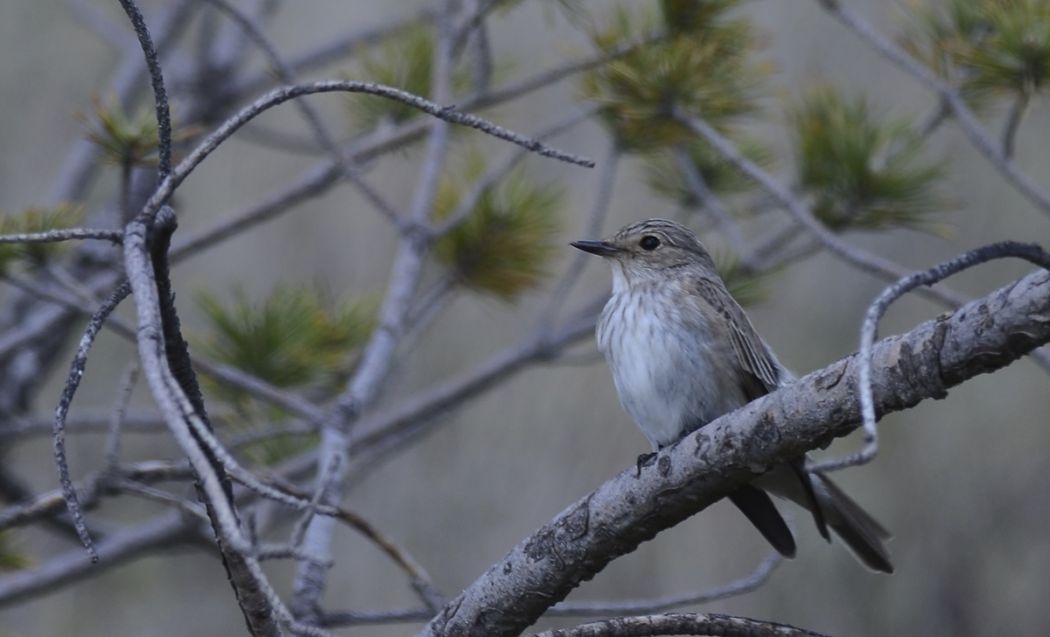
(706,70)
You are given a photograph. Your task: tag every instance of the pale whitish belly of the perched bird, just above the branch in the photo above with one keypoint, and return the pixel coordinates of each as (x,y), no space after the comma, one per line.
(667,379)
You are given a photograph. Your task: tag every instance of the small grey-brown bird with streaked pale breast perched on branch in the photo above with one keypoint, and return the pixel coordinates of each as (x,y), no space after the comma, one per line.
(683,353)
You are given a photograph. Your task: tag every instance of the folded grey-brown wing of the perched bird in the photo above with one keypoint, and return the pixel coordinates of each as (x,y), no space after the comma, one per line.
(753,357)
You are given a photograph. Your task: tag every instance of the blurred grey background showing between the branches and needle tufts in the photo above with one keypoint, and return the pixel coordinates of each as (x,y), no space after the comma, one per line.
(961,482)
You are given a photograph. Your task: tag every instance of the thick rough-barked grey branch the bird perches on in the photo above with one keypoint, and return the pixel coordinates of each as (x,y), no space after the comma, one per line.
(981,337)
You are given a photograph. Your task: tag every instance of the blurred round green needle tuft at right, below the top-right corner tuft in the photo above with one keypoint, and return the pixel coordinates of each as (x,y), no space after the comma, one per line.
(844,160)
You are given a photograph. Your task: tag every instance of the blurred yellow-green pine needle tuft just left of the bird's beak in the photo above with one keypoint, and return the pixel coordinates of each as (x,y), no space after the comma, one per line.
(507,244)
